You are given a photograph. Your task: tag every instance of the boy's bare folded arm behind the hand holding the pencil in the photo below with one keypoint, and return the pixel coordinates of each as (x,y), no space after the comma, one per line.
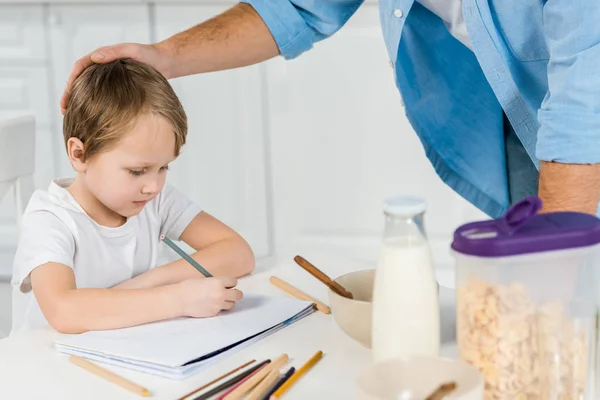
(219,249)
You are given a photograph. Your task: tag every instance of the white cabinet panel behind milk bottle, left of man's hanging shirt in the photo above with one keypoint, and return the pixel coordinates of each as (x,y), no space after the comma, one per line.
(340,144)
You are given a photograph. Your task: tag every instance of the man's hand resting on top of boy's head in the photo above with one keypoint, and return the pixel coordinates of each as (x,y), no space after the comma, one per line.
(145,53)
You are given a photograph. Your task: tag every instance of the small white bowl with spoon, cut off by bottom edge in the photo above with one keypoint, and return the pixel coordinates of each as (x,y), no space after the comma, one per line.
(416,377)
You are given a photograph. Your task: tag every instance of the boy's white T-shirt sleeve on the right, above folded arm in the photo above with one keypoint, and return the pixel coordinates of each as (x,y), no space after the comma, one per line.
(176,212)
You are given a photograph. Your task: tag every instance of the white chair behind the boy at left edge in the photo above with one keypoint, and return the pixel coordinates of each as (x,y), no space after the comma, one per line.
(17,165)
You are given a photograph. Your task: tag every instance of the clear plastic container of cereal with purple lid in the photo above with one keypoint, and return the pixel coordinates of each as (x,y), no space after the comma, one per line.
(527,302)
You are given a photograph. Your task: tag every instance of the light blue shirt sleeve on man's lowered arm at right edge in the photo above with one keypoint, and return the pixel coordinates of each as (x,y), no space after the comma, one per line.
(570,113)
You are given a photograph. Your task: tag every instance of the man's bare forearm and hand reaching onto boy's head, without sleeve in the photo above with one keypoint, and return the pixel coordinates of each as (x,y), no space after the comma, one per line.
(235,38)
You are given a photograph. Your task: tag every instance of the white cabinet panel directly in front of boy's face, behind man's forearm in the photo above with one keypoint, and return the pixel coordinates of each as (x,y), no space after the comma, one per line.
(223,165)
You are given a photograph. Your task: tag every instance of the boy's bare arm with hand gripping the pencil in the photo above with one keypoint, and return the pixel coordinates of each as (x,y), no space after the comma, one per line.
(72,310)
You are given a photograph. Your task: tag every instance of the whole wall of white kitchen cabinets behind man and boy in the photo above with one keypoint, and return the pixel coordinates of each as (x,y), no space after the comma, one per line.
(294,154)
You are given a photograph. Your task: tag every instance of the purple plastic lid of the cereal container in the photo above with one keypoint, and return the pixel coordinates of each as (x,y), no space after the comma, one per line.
(522,231)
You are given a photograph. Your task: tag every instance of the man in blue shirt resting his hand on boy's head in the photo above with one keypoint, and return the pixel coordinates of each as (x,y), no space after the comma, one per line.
(495,89)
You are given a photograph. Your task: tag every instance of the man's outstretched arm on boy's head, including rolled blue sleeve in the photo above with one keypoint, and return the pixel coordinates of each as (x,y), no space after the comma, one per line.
(248,33)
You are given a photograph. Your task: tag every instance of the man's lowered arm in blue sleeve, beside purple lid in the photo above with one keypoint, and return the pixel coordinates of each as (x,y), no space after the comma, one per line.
(569,136)
